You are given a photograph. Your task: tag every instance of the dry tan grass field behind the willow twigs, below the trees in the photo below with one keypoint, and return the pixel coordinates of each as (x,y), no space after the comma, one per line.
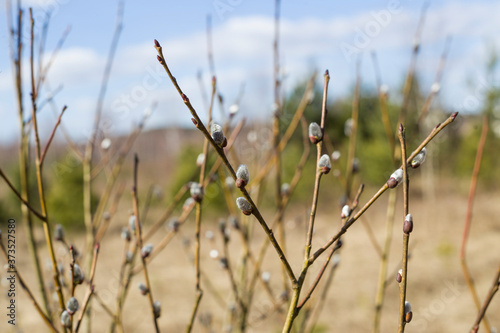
(436,289)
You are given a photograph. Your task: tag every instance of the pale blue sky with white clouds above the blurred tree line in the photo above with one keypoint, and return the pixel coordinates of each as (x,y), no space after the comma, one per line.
(315,35)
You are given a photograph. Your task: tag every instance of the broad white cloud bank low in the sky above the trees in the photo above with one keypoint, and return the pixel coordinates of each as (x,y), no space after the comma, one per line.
(243,54)
